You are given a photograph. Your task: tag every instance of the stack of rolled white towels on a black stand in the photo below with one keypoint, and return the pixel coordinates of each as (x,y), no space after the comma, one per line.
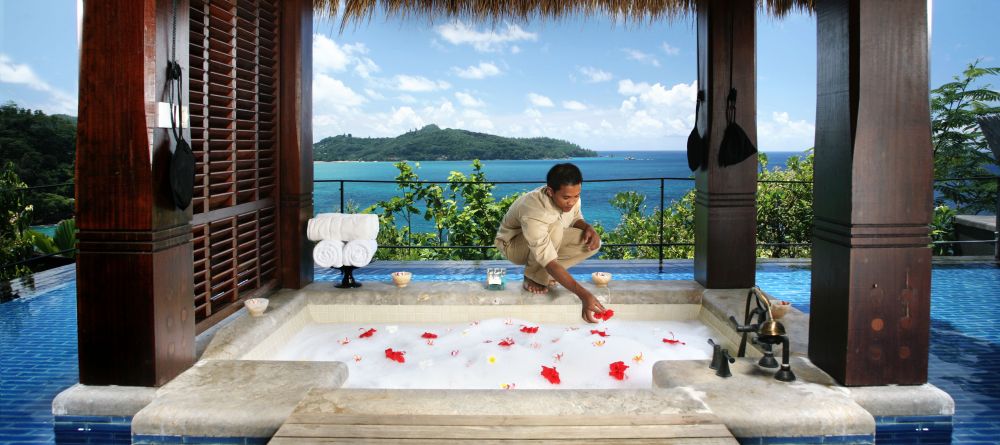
(344,239)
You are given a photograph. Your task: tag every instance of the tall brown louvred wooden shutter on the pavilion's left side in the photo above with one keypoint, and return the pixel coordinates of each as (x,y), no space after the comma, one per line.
(233,96)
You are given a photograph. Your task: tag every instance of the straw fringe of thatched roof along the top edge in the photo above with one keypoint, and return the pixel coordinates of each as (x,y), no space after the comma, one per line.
(497,11)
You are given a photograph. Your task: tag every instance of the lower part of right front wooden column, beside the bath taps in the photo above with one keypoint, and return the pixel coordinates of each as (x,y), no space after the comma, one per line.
(887,289)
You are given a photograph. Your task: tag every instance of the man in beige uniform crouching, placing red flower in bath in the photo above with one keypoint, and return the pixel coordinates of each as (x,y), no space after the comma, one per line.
(544,230)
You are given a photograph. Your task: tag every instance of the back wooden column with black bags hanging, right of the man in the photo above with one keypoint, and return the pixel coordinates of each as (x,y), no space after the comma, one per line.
(725,213)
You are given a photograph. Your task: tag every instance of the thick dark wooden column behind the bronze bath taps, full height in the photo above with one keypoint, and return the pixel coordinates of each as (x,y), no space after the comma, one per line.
(871,267)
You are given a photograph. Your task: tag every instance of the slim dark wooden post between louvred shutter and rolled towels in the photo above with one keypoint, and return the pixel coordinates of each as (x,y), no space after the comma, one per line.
(295,142)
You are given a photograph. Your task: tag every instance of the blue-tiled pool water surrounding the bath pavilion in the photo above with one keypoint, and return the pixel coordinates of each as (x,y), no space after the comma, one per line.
(38,346)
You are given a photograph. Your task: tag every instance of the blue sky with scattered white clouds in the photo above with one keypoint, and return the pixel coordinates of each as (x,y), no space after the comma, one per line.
(592,81)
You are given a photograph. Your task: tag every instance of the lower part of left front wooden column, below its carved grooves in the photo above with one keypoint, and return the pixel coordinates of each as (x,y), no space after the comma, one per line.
(136,323)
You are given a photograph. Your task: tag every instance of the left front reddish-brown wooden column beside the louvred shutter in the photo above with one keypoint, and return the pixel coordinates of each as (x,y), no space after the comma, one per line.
(134,268)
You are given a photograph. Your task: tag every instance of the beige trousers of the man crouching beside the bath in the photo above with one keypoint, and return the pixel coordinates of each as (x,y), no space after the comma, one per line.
(570,248)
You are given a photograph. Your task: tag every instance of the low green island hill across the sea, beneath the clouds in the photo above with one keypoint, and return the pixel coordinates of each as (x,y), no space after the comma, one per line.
(431,143)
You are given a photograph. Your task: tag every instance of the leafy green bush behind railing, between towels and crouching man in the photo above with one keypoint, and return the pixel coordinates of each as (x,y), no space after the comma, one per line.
(464,213)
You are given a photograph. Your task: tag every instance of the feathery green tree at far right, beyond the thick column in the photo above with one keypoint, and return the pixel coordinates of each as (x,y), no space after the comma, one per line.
(960,150)
